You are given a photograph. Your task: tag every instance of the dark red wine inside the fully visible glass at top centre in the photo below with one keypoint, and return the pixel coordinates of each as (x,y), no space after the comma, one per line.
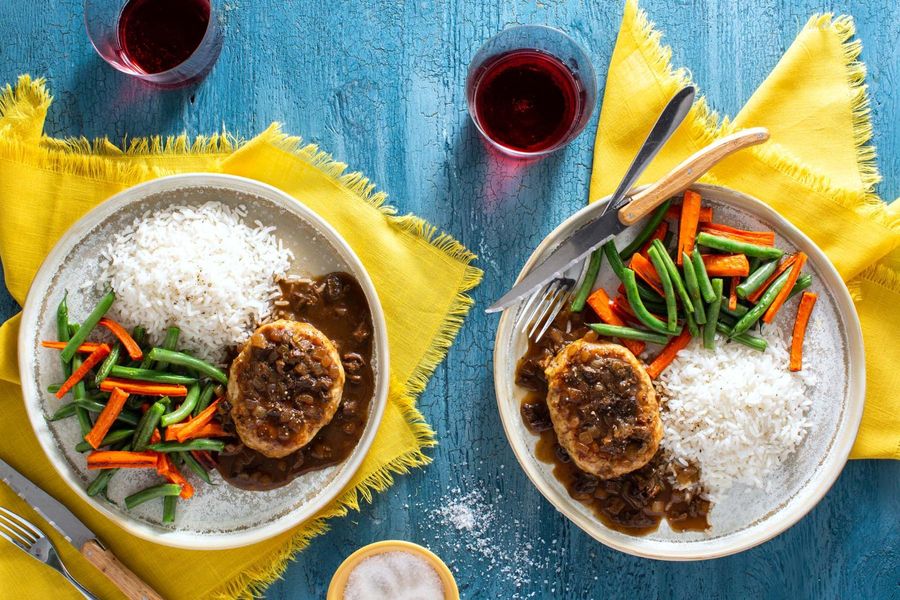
(527,100)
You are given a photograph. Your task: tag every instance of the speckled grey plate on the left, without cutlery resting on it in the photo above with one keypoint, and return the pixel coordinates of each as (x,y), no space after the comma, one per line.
(219,516)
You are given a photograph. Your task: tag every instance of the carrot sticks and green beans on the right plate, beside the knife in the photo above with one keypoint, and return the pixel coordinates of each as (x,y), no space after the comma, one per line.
(708,278)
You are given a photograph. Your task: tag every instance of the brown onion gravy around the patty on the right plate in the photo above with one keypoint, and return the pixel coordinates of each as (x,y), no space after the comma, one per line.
(634,503)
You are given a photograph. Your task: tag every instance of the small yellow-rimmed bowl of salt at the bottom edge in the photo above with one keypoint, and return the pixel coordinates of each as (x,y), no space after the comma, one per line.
(393,570)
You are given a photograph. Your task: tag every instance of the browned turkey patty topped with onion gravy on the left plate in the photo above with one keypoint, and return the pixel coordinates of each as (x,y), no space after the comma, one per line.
(284,386)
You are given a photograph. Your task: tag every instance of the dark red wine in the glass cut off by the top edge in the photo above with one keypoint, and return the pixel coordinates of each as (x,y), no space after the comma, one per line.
(158,35)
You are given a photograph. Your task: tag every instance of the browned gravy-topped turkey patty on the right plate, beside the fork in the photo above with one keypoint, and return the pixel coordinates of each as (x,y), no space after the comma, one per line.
(603,407)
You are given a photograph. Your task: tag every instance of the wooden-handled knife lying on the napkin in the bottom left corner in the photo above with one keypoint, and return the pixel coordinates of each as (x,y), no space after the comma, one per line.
(78,534)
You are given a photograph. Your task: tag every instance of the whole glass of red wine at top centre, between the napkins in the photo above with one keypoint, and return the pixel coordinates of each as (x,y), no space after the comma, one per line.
(531,90)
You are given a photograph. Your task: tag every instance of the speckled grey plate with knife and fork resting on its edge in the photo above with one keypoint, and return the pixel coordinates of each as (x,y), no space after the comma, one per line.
(745,516)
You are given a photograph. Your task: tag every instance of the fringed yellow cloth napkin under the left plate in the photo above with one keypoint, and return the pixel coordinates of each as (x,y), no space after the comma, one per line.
(46,184)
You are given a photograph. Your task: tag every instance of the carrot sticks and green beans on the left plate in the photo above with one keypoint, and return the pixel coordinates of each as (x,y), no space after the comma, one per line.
(138,407)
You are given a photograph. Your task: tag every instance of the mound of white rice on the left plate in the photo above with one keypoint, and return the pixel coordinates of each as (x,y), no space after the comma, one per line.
(202,269)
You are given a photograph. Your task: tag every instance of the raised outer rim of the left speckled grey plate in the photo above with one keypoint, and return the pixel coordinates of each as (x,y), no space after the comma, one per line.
(31,395)
